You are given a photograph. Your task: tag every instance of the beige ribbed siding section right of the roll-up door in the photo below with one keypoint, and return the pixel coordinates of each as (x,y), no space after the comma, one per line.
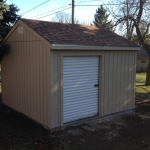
(122,78)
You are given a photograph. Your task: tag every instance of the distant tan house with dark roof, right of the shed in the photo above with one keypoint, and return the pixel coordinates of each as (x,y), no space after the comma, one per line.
(142,60)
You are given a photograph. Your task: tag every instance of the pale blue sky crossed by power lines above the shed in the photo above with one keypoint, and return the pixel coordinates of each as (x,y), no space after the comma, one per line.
(83,13)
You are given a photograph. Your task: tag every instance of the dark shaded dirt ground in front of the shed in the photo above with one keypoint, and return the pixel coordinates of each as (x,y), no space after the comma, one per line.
(127,132)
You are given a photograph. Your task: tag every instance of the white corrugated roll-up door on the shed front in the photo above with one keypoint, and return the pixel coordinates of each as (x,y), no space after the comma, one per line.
(80,96)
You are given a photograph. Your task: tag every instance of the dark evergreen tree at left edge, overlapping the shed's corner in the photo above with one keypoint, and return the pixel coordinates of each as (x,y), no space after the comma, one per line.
(8,16)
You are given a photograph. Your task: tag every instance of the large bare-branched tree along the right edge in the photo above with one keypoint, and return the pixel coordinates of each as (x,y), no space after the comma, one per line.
(137,15)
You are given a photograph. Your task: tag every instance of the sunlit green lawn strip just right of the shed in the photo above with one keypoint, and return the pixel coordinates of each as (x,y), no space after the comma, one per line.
(141,89)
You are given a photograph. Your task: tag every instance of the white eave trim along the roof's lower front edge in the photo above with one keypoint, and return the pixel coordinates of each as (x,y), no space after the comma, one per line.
(86,47)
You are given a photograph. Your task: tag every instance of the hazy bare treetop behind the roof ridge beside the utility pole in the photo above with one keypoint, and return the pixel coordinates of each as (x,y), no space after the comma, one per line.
(63,17)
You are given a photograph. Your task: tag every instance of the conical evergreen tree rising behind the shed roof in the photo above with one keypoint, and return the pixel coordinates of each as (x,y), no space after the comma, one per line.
(101,18)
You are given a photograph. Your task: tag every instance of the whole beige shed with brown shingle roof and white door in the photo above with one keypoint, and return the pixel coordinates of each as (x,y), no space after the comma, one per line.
(59,73)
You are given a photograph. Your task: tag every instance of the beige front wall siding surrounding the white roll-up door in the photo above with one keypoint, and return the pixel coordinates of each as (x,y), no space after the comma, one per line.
(118,80)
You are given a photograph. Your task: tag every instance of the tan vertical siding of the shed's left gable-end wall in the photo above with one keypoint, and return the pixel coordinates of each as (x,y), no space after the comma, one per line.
(26,76)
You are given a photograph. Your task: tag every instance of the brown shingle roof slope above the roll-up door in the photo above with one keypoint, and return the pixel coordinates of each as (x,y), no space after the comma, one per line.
(61,33)
